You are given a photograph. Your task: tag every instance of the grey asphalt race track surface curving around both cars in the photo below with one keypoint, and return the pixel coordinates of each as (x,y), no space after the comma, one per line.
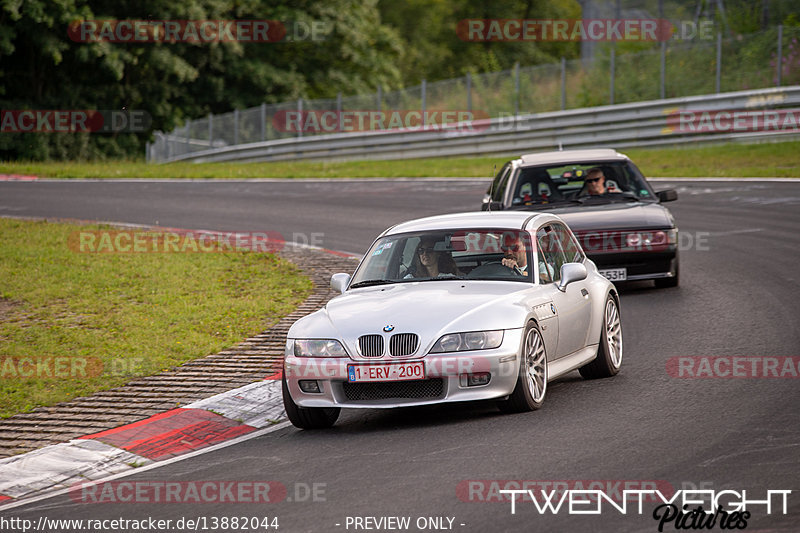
(739,296)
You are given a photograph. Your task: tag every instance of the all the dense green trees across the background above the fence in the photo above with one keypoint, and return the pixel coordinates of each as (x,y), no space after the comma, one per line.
(368,44)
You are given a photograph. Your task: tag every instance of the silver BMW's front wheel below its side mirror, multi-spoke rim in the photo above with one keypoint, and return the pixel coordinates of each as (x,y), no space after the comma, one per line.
(531,387)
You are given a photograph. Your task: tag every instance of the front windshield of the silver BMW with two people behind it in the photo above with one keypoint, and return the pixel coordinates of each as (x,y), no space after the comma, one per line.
(446,255)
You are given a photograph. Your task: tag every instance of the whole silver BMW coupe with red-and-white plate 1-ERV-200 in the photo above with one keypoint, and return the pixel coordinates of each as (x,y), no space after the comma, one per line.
(451,308)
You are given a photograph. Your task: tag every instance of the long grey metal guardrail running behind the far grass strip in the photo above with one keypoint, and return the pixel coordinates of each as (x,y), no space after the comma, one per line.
(639,124)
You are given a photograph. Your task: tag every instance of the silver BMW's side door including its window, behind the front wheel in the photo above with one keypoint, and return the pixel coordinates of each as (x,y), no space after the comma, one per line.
(573,306)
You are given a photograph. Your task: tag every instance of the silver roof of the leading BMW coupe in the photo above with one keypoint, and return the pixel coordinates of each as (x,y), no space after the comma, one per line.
(472,220)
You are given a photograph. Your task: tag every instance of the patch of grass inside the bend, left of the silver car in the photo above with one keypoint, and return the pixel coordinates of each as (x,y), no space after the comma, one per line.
(74,323)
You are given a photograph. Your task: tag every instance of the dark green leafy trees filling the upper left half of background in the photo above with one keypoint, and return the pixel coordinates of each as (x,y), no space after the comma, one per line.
(43,69)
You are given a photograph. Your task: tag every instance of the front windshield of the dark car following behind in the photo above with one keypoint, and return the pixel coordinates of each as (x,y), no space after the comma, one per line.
(551,185)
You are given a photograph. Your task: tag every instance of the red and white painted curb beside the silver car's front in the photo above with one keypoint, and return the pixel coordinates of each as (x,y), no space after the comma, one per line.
(161,437)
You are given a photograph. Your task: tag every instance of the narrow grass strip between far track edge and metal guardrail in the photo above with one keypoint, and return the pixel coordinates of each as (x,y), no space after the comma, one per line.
(730,160)
